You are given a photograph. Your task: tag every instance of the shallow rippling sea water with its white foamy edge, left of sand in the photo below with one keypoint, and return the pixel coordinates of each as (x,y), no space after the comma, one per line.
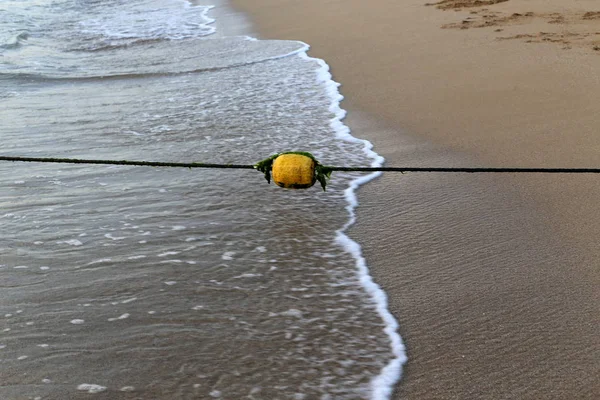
(163,283)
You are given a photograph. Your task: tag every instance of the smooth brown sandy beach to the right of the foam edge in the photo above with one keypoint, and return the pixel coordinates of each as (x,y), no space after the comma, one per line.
(495,280)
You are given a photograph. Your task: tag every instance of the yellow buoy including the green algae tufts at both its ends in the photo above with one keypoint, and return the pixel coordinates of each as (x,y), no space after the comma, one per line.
(294,170)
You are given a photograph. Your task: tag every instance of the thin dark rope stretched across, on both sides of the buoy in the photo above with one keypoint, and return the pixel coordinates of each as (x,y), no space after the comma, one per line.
(331,168)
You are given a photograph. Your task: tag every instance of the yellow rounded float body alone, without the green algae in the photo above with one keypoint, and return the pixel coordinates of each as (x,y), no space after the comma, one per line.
(294,171)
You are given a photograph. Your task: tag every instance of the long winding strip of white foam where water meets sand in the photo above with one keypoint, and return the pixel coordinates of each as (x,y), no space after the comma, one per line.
(383,384)
